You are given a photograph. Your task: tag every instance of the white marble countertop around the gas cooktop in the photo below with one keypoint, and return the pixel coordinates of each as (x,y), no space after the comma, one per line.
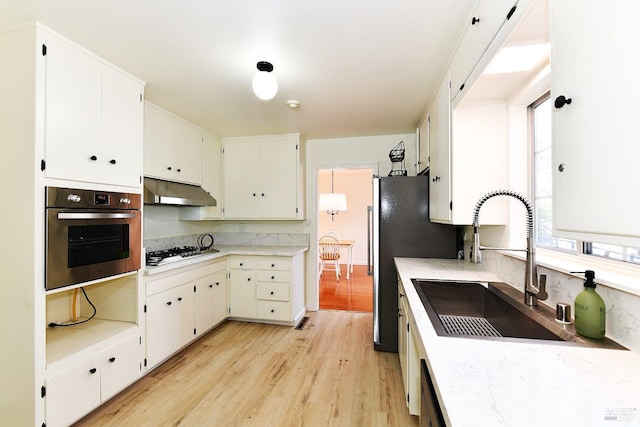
(225,250)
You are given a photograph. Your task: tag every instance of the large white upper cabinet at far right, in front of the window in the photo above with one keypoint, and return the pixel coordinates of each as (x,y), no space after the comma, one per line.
(595,65)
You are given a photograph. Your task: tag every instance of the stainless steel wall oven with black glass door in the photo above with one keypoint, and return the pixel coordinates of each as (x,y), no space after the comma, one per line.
(90,235)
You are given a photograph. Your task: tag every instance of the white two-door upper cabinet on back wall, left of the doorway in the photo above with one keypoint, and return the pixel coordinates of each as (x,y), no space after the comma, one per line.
(263,177)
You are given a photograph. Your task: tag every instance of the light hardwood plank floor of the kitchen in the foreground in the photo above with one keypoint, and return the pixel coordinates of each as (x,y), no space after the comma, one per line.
(249,374)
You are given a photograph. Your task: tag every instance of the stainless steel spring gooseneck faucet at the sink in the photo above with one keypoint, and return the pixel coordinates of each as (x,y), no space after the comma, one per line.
(533,290)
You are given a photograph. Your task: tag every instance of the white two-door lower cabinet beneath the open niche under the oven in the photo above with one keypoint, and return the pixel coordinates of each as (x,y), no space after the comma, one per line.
(76,391)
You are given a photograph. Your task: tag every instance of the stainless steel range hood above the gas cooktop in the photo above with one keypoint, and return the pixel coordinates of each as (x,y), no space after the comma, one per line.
(159,192)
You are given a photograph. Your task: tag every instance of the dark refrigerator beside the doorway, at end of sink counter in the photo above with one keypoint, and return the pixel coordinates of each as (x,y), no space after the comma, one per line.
(400,227)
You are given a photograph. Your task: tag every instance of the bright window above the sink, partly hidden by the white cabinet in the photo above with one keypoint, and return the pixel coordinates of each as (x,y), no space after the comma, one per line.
(541,153)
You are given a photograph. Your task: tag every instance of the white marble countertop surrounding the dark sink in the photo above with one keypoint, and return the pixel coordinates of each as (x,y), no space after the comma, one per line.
(520,383)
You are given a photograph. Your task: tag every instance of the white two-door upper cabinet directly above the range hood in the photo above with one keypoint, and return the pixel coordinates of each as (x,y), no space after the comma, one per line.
(172,147)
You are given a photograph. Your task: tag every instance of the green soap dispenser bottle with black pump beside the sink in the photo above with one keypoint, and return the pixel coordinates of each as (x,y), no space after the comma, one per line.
(590,312)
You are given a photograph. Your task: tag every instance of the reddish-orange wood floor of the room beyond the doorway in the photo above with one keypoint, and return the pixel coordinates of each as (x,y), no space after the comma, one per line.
(355,294)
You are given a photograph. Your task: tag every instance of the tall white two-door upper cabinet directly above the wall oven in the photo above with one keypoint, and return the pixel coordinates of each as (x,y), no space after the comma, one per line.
(93,118)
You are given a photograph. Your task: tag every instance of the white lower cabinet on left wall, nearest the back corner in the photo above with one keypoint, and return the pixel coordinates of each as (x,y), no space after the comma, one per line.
(211,296)
